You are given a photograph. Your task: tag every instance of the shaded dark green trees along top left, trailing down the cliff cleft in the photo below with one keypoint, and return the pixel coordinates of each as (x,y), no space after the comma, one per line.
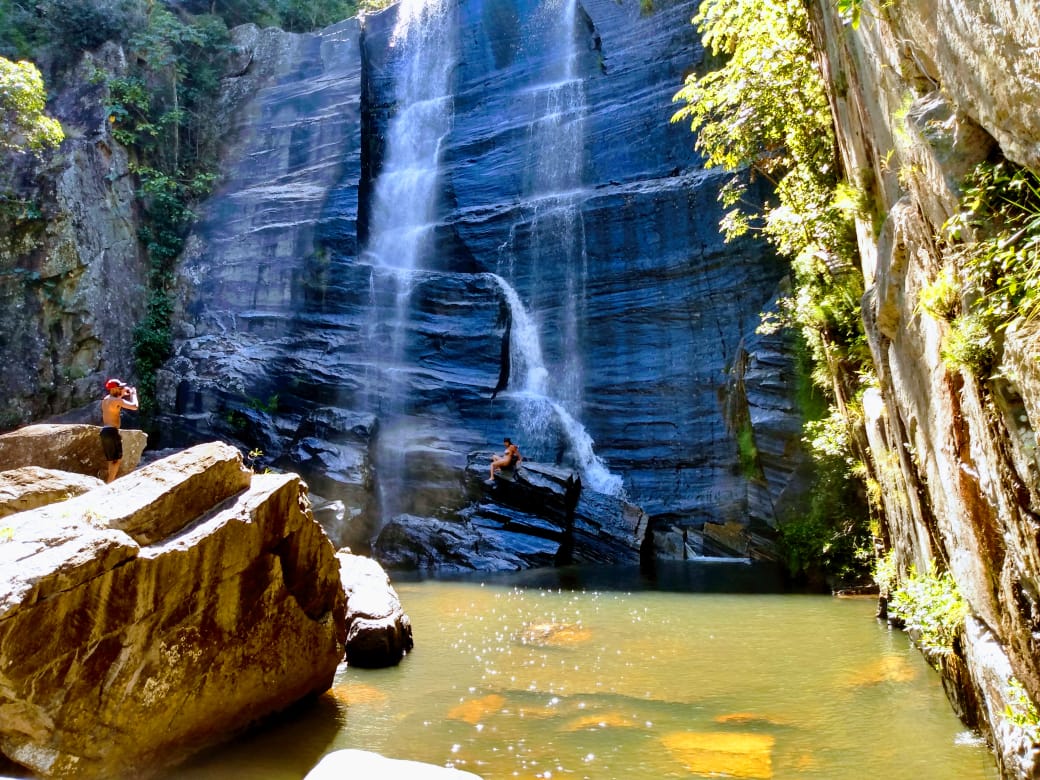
(160,109)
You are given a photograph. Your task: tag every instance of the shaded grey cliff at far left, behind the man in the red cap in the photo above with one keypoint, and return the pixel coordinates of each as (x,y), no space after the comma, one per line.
(72,273)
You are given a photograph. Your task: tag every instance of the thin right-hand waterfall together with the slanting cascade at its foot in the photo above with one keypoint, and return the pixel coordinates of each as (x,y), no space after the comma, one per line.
(554,188)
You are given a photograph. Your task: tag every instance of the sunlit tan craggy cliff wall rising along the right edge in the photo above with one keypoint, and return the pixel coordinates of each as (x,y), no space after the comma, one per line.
(922,92)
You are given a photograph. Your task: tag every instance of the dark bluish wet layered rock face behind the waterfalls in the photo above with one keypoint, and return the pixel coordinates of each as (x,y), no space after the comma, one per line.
(478,226)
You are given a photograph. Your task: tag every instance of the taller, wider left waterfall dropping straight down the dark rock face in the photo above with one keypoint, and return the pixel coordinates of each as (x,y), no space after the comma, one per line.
(404,219)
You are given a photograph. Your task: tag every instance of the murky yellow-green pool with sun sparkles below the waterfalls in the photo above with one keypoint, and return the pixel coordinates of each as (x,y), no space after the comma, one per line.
(511,682)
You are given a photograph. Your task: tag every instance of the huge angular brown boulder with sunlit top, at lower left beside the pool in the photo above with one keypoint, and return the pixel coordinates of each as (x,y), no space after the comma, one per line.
(152,617)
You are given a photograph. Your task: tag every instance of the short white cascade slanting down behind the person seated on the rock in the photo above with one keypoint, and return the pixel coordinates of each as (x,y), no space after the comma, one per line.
(538,410)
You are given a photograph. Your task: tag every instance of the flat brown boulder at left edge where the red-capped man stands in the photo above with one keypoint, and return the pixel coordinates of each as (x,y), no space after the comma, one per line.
(75,449)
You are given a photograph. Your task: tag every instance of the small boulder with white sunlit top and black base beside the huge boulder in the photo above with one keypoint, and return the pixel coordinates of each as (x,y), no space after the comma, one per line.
(379,633)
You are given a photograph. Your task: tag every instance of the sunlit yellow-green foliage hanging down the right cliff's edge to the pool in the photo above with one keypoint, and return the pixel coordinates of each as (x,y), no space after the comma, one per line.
(761,111)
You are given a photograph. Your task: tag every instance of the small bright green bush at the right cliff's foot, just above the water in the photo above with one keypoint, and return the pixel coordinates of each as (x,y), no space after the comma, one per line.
(931,608)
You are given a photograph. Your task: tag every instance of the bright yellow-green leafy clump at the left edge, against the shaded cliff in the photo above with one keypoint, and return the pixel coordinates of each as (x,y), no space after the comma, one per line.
(23,124)
